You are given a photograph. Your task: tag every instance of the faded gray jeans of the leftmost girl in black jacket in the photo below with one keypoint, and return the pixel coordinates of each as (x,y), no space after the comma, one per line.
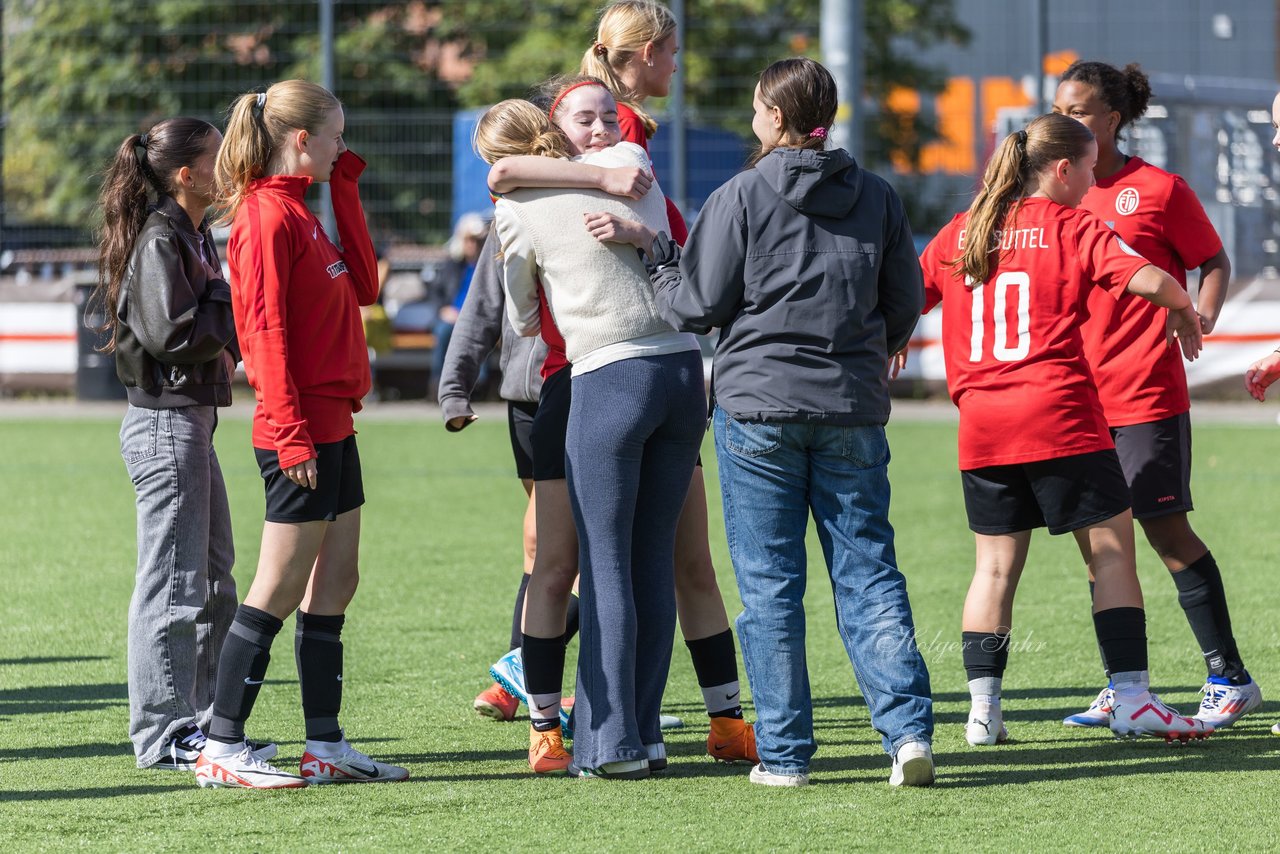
(184,595)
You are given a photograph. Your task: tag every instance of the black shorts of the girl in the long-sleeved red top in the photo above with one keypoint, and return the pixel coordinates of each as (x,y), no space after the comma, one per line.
(340,488)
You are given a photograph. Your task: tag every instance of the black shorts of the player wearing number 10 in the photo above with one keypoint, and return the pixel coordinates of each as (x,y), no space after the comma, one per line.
(1063,495)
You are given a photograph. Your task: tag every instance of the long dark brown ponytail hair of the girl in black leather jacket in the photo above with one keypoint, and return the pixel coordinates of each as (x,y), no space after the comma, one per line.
(141,172)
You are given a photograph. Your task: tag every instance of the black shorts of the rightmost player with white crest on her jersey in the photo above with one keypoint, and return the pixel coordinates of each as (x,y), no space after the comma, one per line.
(1156,459)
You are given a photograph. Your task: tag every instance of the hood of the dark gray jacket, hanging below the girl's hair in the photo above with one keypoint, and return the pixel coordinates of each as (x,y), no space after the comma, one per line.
(819,184)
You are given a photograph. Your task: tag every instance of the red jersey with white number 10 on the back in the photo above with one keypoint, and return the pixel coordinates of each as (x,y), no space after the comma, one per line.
(1014,357)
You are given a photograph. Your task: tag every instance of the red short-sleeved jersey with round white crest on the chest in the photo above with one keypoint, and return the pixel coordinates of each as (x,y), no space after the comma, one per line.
(1140,378)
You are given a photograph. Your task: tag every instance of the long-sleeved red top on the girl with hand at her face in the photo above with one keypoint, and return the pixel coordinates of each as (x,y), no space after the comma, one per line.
(296,299)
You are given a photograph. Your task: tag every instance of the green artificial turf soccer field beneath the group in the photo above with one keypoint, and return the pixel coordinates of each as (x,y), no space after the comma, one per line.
(441,556)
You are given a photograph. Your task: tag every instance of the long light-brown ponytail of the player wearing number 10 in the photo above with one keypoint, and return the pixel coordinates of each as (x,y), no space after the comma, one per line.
(1012,173)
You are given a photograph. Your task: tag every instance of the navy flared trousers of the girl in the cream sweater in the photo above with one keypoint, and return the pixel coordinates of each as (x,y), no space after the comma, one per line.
(634,432)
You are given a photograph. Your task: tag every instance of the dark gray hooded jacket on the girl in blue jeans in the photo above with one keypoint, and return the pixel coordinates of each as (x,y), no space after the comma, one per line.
(807,266)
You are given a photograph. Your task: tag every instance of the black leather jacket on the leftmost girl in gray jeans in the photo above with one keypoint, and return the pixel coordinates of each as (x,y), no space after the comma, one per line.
(176,339)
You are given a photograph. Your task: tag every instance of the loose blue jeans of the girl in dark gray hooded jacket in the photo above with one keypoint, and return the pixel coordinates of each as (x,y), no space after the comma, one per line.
(772,477)
